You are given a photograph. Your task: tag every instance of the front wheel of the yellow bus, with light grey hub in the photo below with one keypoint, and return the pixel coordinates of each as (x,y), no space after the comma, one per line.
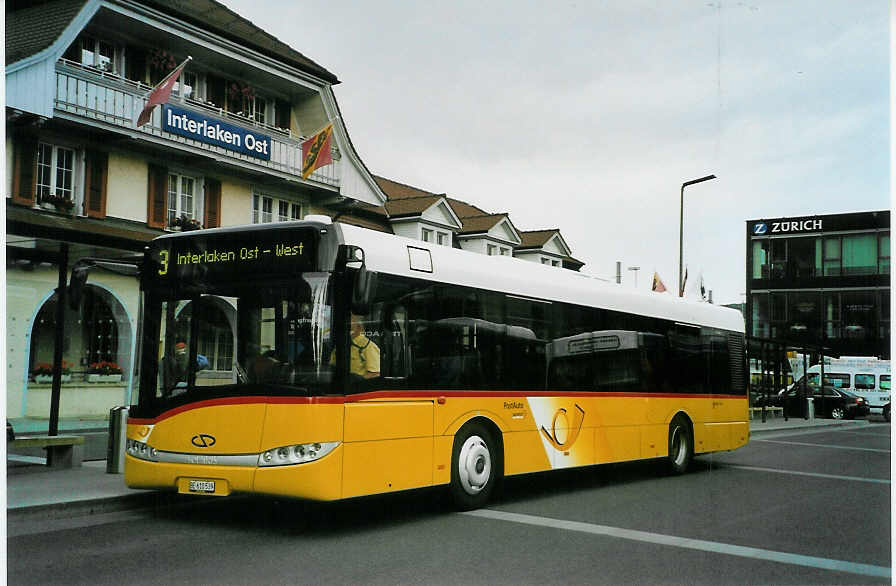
(474,466)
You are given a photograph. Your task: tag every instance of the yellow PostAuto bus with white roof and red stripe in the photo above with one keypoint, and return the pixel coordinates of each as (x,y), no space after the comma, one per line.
(324,361)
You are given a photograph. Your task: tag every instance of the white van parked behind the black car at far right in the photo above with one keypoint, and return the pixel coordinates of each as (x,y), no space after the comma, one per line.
(864,376)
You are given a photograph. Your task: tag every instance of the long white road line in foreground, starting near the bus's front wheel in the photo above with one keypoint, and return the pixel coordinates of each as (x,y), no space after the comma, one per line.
(686,543)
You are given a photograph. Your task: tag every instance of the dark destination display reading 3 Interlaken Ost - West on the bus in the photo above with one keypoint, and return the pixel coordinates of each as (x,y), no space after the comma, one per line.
(237,255)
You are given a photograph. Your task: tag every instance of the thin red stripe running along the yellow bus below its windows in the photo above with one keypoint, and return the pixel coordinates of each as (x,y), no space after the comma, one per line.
(407,395)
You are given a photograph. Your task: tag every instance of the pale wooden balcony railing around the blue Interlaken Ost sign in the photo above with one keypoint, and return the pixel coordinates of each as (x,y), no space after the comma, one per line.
(106,97)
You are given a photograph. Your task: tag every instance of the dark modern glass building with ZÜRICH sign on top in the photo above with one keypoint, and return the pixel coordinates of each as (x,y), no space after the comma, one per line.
(821,281)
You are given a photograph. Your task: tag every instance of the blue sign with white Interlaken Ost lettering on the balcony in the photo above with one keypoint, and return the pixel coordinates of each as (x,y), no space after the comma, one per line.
(193,125)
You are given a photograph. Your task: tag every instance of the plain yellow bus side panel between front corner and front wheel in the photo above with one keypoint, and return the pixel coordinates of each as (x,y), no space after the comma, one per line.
(388,446)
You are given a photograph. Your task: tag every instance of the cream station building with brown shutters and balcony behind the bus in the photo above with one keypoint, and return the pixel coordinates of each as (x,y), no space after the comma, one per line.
(84,180)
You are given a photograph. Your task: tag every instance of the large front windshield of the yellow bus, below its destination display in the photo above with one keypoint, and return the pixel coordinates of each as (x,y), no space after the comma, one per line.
(239,339)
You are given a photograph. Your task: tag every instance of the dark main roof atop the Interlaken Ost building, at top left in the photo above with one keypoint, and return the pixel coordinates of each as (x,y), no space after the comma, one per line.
(34,25)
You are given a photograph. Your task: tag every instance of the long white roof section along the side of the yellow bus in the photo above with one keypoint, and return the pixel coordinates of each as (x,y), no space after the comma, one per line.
(387,253)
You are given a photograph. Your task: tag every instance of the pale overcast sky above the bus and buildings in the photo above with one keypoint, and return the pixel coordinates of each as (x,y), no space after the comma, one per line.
(588,116)
